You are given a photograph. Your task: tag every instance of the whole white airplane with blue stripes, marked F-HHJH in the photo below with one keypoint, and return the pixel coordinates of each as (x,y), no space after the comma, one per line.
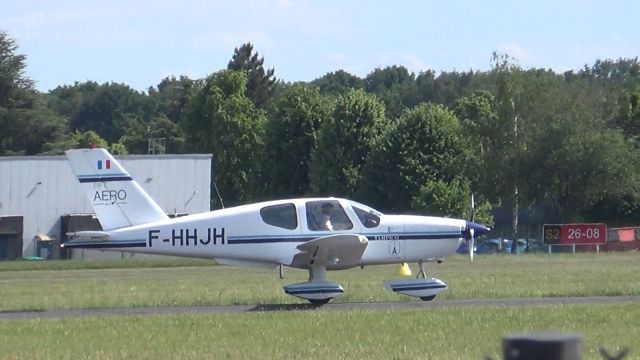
(317,234)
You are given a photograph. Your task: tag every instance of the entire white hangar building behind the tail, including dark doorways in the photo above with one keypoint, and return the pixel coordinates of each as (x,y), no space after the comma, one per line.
(41,200)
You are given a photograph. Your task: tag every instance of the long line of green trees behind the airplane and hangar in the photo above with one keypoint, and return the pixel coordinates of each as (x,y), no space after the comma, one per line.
(559,146)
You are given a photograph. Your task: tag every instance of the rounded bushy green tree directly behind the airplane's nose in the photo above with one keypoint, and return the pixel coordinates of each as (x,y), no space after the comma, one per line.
(424,145)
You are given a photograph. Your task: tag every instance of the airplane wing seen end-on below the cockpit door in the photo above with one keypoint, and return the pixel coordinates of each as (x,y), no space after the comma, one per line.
(341,251)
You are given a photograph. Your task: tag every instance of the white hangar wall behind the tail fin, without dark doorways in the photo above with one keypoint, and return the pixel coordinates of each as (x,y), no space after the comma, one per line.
(41,189)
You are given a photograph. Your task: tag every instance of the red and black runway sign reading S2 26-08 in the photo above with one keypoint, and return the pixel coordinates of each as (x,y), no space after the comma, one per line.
(570,234)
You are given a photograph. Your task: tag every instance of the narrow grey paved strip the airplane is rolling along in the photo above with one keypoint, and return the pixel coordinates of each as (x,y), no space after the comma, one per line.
(391,305)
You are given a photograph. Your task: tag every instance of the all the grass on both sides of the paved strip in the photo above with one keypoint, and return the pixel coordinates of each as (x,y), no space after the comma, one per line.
(439,333)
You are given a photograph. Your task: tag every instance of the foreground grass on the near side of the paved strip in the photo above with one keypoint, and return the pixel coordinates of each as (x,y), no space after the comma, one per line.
(453,333)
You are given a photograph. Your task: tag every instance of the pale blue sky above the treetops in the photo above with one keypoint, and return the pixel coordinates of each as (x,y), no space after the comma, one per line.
(141,42)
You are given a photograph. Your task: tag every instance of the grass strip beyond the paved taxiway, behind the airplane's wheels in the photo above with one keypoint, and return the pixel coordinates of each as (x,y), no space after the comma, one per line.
(73,285)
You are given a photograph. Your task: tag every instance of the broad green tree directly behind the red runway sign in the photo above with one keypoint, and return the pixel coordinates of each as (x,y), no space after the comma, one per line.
(579,160)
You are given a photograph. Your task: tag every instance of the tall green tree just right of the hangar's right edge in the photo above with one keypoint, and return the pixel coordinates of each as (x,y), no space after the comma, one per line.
(221,120)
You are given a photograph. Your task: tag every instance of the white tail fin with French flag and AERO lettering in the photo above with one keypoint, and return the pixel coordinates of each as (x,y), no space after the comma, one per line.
(116,198)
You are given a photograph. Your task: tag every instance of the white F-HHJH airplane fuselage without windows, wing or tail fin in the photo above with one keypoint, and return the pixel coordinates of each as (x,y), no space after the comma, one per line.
(240,234)
